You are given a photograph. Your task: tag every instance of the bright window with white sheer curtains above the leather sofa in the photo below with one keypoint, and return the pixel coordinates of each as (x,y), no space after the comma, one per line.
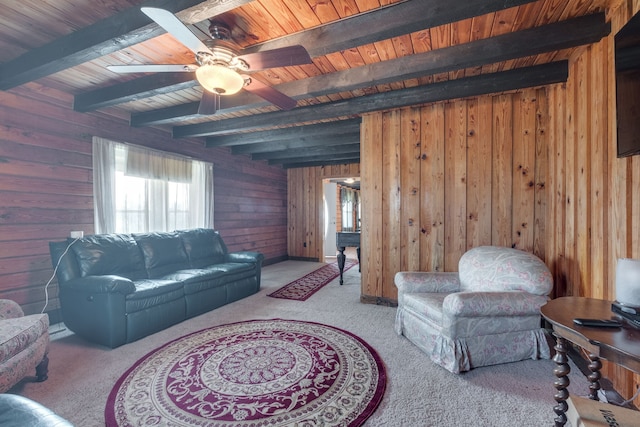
(137,189)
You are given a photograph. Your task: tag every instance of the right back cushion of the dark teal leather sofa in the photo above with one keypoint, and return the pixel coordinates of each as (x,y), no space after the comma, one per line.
(204,247)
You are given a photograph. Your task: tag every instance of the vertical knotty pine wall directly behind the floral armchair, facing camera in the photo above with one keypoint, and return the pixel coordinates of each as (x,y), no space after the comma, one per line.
(440,179)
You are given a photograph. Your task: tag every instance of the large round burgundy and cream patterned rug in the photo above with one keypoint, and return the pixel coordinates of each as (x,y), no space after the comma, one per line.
(256,373)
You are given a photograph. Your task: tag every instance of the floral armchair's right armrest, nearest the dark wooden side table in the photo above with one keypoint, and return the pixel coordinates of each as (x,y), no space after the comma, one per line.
(477,304)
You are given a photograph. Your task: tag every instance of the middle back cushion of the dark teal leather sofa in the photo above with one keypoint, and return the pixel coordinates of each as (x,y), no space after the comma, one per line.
(163,252)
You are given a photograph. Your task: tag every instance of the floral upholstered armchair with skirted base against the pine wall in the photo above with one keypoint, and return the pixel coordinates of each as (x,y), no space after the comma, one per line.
(485,314)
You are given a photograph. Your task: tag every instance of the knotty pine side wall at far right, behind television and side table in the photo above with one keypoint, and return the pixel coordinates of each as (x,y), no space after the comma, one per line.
(594,203)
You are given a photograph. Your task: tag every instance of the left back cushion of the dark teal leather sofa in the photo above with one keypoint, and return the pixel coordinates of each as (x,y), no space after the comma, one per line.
(115,254)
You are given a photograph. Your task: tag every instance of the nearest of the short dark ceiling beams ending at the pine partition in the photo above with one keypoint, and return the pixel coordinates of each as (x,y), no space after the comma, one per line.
(309,132)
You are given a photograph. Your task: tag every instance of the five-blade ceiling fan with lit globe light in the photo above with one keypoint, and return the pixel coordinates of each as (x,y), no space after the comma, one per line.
(219,65)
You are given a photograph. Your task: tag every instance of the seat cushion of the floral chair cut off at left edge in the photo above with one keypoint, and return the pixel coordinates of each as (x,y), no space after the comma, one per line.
(20,333)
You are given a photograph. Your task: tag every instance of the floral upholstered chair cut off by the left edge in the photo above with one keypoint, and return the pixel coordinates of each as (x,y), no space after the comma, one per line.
(24,343)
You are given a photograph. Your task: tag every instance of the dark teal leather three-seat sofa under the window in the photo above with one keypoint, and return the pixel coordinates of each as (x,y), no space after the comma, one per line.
(118,288)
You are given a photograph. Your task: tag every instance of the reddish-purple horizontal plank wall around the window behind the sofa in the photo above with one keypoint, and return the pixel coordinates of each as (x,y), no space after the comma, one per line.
(46,187)
